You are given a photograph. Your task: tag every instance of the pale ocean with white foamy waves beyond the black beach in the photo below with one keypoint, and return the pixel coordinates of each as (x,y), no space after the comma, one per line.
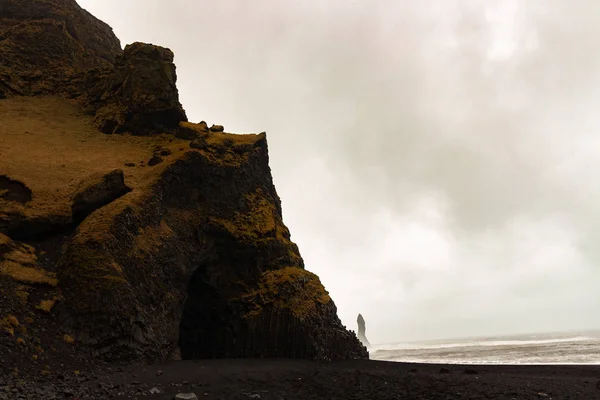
(537,349)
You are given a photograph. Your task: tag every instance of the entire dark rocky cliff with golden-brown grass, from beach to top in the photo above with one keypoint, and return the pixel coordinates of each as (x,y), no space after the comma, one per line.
(126,232)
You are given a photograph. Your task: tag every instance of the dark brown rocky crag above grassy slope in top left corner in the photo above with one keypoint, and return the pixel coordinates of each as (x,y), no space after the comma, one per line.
(44,43)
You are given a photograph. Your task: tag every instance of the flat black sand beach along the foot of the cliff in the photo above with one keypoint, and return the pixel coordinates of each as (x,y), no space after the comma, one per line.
(291,380)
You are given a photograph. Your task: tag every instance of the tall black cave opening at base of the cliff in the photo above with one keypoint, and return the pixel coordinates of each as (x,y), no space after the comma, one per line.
(205,326)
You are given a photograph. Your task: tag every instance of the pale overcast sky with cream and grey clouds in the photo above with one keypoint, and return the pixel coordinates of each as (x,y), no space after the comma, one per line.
(438,161)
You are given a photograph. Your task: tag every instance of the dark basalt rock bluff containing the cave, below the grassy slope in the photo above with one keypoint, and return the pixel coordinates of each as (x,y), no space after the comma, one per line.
(201,259)
